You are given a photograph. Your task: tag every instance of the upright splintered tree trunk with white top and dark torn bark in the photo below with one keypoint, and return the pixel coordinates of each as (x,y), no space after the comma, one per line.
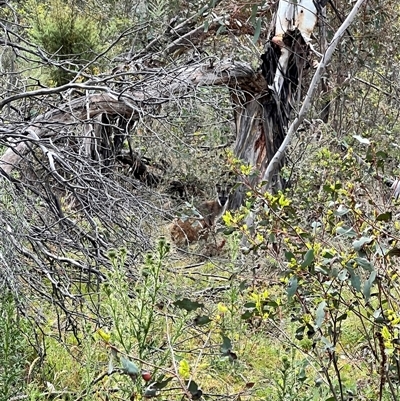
(262,114)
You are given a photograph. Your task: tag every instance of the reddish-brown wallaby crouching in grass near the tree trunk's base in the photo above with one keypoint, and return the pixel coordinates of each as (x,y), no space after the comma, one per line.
(193,229)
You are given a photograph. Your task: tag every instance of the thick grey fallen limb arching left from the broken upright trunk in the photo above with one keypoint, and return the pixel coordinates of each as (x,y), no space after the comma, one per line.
(129,104)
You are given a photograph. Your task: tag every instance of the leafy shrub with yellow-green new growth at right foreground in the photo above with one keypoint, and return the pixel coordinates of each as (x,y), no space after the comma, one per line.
(338,258)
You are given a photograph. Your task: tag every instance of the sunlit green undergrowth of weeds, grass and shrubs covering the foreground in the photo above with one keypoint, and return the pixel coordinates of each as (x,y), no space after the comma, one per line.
(307,310)
